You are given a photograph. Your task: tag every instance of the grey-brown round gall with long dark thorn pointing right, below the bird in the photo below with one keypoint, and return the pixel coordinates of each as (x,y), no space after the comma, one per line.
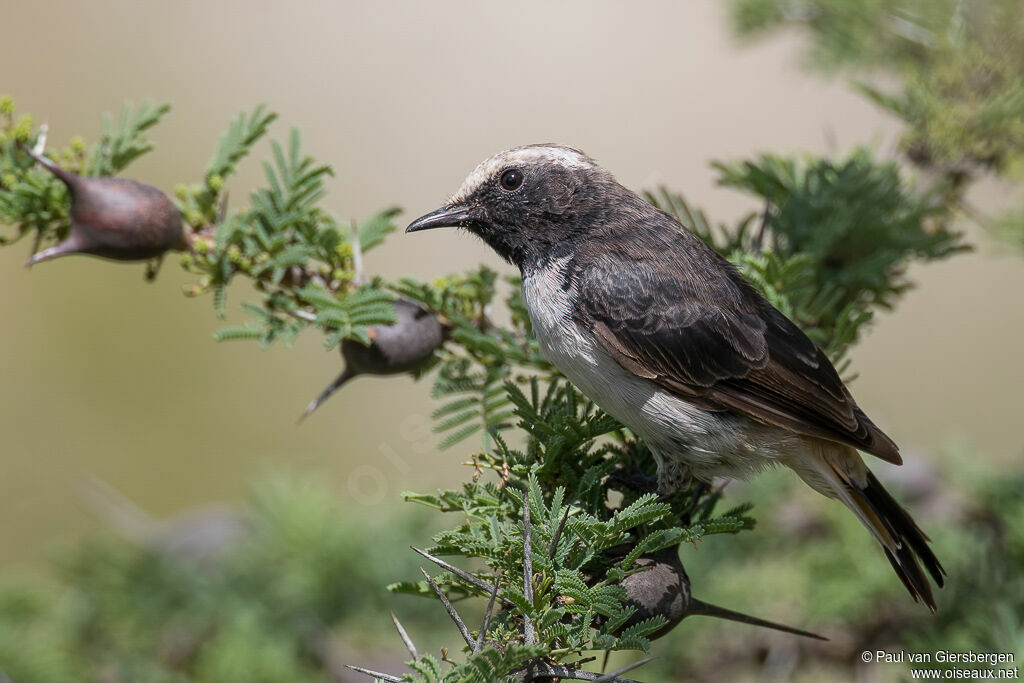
(664,589)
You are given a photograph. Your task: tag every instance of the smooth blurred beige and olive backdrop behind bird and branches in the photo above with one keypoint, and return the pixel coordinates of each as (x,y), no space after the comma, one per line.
(404,100)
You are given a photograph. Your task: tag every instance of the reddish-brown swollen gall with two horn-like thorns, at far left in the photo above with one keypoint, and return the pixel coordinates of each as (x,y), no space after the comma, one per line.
(115,219)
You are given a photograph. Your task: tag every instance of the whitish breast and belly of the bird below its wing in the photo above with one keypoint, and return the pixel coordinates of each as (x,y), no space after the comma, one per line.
(679,434)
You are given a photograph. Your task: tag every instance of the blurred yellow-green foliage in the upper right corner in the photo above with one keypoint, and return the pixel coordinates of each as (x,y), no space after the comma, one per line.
(959,67)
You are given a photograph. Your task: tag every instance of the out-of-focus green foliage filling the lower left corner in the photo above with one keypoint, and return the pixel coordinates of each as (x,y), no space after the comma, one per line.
(263,592)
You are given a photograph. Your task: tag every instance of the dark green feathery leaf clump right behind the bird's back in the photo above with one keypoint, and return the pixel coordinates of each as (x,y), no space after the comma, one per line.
(854,219)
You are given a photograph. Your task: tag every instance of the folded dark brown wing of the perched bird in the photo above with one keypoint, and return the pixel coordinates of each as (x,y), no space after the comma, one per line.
(721,345)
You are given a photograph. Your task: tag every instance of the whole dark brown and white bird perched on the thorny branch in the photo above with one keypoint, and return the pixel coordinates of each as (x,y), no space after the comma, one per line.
(667,336)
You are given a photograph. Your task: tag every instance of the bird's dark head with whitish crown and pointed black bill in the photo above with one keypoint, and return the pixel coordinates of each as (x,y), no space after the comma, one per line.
(528,201)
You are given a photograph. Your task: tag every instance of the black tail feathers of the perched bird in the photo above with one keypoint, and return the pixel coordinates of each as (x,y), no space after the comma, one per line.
(906,545)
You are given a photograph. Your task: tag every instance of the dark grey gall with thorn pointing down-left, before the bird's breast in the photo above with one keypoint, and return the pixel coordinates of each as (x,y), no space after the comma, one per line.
(394,350)
